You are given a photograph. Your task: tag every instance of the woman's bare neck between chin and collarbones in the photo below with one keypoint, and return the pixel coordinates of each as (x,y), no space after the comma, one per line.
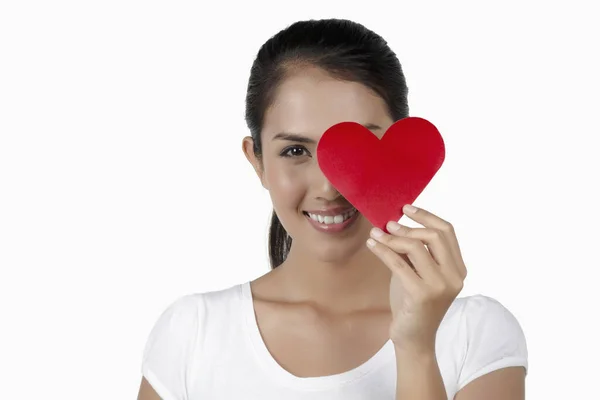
(358,283)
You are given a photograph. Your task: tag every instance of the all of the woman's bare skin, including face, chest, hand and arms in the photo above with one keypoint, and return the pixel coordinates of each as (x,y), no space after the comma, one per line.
(335,301)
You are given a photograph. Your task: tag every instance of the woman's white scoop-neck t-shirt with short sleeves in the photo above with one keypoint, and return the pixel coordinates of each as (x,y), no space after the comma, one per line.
(208,346)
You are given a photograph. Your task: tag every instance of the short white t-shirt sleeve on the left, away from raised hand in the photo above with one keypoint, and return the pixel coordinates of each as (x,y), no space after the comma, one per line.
(169,347)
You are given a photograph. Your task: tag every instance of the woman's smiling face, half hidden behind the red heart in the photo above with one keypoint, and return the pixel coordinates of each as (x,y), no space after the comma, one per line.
(314,214)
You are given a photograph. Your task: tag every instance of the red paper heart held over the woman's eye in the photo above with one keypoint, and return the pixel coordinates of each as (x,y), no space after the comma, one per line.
(379,177)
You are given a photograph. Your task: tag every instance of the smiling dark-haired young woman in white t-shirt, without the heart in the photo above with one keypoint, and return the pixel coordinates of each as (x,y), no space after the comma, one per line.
(347,311)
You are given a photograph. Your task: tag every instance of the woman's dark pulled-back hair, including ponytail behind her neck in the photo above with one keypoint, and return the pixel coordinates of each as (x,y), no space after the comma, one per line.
(344,49)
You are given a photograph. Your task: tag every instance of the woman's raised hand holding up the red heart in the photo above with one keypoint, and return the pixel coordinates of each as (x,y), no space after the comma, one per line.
(425,280)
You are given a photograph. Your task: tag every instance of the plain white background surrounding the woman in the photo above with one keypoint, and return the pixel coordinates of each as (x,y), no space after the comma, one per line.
(123,185)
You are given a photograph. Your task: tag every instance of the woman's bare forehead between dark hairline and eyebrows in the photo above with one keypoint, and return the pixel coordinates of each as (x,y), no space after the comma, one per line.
(310,101)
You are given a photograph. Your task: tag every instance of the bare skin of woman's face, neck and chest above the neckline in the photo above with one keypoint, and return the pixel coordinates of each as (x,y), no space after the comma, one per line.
(332,291)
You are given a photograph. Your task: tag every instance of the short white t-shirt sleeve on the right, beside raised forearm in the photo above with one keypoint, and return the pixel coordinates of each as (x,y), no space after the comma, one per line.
(495,339)
